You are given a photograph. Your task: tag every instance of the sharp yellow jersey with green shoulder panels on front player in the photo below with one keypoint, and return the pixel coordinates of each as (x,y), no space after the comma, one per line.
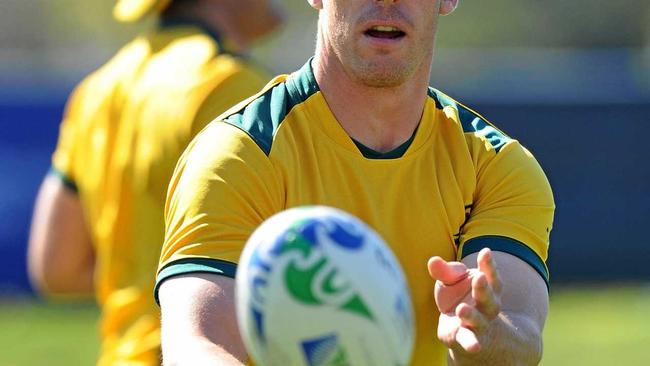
(458,185)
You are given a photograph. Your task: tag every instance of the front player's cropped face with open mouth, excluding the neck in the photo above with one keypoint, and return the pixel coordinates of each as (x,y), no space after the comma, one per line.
(380,43)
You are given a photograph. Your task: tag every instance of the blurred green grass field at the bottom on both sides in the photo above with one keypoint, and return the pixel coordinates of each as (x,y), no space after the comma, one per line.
(587,326)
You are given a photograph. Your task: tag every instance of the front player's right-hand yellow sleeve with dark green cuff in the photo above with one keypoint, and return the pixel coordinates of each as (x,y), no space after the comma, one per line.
(513,205)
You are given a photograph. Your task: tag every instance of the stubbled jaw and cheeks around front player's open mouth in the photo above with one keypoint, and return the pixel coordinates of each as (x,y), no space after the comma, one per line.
(378,68)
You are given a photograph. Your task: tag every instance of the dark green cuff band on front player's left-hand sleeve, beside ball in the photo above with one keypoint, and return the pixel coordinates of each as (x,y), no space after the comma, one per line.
(194,265)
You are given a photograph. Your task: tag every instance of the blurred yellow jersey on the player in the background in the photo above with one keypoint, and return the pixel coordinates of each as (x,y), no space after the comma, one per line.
(124,128)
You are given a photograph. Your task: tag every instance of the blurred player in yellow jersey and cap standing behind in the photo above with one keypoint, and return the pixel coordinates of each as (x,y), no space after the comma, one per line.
(98,223)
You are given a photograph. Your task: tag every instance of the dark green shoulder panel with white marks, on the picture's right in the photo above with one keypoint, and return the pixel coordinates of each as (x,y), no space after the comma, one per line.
(472,123)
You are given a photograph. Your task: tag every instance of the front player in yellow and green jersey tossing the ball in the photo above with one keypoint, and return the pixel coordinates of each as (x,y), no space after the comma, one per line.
(359,129)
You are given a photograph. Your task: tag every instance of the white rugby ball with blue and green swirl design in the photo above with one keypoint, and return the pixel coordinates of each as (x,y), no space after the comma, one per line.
(317,286)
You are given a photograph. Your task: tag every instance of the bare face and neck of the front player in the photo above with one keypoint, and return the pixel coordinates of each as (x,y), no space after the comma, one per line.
(375,81)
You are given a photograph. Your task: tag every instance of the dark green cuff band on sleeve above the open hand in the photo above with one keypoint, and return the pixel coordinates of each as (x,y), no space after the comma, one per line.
(510,246)
